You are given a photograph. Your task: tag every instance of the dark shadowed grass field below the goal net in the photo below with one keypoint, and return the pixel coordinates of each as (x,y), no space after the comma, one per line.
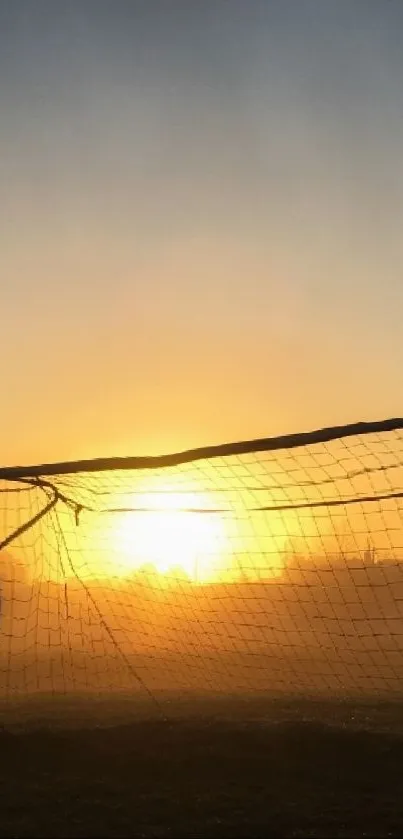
(240,769)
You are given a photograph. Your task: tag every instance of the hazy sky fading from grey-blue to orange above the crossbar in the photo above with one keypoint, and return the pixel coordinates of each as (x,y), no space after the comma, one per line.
(201,221)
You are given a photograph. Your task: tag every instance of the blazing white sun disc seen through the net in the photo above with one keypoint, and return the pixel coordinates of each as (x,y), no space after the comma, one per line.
(172,532)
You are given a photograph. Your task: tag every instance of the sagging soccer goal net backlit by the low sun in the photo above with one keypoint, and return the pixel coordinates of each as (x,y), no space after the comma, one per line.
(267,568)
